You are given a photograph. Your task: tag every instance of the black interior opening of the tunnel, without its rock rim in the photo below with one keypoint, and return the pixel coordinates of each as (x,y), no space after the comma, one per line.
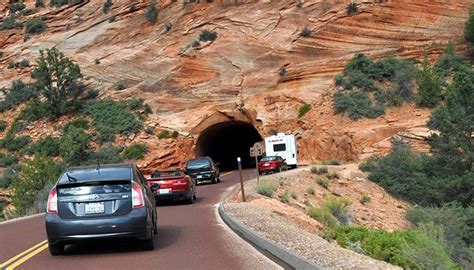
(226,141)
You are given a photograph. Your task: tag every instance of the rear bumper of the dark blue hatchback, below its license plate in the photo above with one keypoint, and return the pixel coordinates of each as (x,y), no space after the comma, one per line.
(135,224)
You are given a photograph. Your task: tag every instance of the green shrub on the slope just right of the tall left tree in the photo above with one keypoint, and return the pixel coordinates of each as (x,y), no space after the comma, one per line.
(111,117)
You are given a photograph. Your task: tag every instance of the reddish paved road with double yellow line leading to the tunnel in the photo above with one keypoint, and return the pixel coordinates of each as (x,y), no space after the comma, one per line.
(189,237)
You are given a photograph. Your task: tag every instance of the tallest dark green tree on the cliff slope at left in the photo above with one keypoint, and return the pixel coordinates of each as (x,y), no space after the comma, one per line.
(57,78)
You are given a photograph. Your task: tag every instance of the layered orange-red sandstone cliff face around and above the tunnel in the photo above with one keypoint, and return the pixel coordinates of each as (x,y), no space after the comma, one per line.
(259,63)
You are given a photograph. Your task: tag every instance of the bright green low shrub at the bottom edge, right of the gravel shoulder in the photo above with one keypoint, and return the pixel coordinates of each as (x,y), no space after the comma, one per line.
(409,250)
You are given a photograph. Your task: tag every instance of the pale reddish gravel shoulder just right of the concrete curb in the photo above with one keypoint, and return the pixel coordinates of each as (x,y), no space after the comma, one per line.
(271,219)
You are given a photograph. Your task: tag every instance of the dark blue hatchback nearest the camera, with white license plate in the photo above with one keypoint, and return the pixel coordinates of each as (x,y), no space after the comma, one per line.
(96,202)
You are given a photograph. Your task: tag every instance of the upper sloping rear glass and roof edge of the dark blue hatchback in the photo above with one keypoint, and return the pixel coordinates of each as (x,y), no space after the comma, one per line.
(108,172)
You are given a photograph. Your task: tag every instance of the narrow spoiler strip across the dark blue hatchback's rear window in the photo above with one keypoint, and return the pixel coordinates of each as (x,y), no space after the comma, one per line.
(98,188)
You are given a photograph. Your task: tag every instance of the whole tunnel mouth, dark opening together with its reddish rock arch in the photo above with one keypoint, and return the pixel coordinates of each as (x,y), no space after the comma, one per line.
(226,135)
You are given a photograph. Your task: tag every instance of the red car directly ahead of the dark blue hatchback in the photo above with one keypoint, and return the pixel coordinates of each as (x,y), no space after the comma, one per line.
(173,185)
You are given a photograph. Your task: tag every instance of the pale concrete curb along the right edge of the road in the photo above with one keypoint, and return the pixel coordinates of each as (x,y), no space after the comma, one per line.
(273,251)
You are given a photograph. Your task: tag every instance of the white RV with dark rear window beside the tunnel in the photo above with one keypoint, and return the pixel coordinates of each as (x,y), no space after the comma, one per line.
(283,145)
